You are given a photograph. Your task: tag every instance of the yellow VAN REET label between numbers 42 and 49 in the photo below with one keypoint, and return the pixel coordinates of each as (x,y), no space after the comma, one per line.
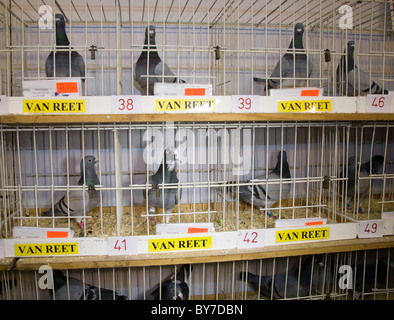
(302,234)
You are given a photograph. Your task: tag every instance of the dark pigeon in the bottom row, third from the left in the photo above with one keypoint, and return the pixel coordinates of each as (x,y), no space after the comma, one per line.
(264,283)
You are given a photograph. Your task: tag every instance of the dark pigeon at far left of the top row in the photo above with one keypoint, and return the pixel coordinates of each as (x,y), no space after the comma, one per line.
(59,65)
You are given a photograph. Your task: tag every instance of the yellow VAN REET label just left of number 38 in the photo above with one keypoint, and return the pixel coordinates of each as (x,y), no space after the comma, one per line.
(54,106)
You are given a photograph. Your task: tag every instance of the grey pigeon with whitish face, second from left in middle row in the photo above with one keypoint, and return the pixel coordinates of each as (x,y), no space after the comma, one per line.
(166,174)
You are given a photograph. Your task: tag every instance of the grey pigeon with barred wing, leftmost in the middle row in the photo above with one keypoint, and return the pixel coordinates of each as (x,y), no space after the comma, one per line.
(78,202)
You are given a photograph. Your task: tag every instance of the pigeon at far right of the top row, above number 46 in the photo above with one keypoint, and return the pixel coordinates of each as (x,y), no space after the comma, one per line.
(351,80)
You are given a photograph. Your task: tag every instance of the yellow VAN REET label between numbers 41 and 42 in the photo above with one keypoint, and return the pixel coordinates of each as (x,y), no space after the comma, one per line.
(160,245)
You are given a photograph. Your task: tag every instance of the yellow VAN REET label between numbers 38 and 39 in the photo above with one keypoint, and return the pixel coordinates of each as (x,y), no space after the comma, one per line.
(191,105)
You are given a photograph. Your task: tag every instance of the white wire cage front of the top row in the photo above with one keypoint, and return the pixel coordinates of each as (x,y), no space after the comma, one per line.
(223,43)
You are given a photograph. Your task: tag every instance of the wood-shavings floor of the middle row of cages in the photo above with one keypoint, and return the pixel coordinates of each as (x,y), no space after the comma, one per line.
(104,222)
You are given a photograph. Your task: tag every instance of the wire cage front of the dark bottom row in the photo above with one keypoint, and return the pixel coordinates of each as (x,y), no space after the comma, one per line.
(354,275)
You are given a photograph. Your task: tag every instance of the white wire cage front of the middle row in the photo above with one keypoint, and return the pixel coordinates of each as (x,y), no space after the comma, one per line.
(223,170)
